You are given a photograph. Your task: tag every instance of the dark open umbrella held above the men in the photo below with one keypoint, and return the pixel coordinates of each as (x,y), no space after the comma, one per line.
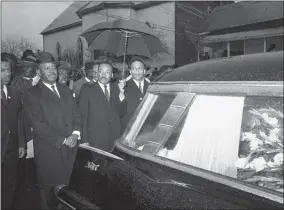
(124,37)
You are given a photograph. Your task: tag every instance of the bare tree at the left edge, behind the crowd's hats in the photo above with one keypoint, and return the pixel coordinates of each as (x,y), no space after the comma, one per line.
(17,45)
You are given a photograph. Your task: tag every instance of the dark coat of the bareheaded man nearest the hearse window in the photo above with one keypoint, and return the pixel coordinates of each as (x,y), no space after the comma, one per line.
(133,98)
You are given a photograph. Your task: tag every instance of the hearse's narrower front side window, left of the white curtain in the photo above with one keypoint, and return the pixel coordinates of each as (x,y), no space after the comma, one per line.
(155,119)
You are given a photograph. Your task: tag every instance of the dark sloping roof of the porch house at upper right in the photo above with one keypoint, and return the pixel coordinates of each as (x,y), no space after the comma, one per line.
(243,13)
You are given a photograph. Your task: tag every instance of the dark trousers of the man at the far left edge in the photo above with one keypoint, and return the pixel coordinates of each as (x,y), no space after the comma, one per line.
(9,181)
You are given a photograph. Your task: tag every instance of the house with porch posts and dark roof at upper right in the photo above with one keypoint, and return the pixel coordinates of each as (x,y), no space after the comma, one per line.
(243,28)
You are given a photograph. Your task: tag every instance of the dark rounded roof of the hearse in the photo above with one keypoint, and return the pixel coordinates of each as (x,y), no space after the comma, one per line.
(253,67)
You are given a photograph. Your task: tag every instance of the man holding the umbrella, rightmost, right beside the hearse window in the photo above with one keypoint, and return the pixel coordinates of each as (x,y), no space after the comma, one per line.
(135,89)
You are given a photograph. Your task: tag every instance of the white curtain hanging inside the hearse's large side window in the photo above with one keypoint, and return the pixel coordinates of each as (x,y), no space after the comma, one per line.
(210,135)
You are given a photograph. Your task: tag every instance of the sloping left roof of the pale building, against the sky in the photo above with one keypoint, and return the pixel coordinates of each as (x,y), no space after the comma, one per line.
(66,19)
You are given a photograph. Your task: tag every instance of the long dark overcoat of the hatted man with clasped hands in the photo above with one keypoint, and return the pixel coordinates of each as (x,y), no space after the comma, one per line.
(53,119)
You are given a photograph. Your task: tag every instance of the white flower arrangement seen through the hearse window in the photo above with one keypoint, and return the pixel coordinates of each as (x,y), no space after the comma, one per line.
(261,149)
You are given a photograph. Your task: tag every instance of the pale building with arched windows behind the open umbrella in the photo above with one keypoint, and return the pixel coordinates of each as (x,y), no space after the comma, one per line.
(62,35)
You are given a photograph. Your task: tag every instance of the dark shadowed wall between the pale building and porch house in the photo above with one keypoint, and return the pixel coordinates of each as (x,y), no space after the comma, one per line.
(190,16)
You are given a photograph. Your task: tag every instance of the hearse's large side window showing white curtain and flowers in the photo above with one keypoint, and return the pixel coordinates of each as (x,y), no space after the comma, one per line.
(239,137)
